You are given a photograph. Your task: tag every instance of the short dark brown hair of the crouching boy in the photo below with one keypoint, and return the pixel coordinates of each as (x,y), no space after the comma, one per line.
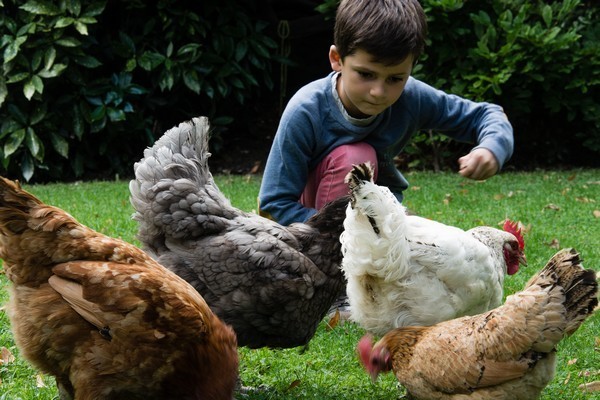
(389,30)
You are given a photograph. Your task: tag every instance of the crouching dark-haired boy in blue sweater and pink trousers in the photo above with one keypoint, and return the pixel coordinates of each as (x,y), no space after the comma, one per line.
(367,110)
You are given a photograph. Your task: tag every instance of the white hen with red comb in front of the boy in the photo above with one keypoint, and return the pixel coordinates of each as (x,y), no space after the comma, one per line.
(407,270)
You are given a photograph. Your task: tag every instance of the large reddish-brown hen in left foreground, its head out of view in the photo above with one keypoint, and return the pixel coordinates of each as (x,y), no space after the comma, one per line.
(102,317)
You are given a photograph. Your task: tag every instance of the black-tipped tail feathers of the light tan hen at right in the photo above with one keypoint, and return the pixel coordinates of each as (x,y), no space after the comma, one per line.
(580,286)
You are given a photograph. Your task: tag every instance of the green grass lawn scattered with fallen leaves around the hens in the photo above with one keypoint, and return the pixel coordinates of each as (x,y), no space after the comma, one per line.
(560,209)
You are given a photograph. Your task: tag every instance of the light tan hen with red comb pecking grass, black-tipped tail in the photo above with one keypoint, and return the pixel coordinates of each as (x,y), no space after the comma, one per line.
(507,353)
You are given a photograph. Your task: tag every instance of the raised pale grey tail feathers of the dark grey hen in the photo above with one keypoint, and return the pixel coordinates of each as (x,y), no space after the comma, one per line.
(173,192)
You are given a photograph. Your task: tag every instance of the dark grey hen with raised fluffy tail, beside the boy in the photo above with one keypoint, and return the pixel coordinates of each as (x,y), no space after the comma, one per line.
(273,284)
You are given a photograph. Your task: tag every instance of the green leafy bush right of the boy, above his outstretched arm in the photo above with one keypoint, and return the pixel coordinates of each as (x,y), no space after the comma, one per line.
(540,60)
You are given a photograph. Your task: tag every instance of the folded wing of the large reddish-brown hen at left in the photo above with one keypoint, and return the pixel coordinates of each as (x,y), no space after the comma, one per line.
(130,301)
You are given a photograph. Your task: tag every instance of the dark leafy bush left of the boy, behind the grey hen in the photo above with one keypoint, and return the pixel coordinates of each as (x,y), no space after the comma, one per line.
(87,85)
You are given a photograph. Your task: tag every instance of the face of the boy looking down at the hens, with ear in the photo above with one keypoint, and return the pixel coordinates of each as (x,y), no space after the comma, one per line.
(366,87)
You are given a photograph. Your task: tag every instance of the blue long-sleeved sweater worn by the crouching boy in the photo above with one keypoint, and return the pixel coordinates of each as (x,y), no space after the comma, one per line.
(312,125)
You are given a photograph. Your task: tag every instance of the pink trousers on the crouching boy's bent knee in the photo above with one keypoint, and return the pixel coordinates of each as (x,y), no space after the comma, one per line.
(326,182)
